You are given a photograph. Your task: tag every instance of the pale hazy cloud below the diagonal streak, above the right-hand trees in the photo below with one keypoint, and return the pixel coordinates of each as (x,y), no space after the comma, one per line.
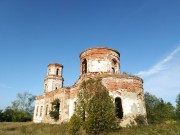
(165,84)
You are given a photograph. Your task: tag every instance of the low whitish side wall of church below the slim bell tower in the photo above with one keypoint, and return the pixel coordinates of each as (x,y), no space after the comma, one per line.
(44,102)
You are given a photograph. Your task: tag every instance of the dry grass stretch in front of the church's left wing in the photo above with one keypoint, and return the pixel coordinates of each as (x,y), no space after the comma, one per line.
(29,128)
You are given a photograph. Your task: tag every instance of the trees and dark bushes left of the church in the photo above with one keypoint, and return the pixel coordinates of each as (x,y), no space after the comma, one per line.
(21,109)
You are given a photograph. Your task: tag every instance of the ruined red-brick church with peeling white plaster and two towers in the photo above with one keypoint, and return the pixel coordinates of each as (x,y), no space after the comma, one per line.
(126,90)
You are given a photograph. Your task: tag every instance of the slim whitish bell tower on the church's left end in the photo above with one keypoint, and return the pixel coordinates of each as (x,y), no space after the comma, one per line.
(54,79)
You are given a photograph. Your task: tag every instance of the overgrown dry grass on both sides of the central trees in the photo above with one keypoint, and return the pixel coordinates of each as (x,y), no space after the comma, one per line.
(10,128)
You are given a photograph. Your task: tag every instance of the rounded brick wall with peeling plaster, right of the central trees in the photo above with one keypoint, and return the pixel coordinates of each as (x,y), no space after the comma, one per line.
(130,90)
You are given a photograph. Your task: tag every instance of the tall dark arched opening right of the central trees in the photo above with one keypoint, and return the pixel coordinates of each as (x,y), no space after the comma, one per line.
(119,109)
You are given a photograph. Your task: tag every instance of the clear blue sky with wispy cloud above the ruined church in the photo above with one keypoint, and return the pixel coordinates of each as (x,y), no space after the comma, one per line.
(38,32)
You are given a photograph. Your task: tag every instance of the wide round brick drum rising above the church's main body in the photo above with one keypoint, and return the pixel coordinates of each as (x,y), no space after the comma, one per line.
(100,60)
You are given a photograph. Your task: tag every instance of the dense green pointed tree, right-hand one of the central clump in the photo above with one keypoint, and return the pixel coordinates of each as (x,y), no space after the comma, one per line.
(100,112)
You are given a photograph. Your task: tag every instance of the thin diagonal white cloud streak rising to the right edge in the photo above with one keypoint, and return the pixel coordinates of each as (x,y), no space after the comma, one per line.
(159,66)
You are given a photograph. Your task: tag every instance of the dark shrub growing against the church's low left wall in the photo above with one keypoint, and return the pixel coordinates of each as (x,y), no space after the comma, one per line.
(54,113)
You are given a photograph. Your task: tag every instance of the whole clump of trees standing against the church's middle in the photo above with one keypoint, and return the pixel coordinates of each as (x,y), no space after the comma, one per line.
(95,107)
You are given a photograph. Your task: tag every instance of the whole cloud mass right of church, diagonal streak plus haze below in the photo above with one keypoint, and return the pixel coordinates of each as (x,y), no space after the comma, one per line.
(163,79)
